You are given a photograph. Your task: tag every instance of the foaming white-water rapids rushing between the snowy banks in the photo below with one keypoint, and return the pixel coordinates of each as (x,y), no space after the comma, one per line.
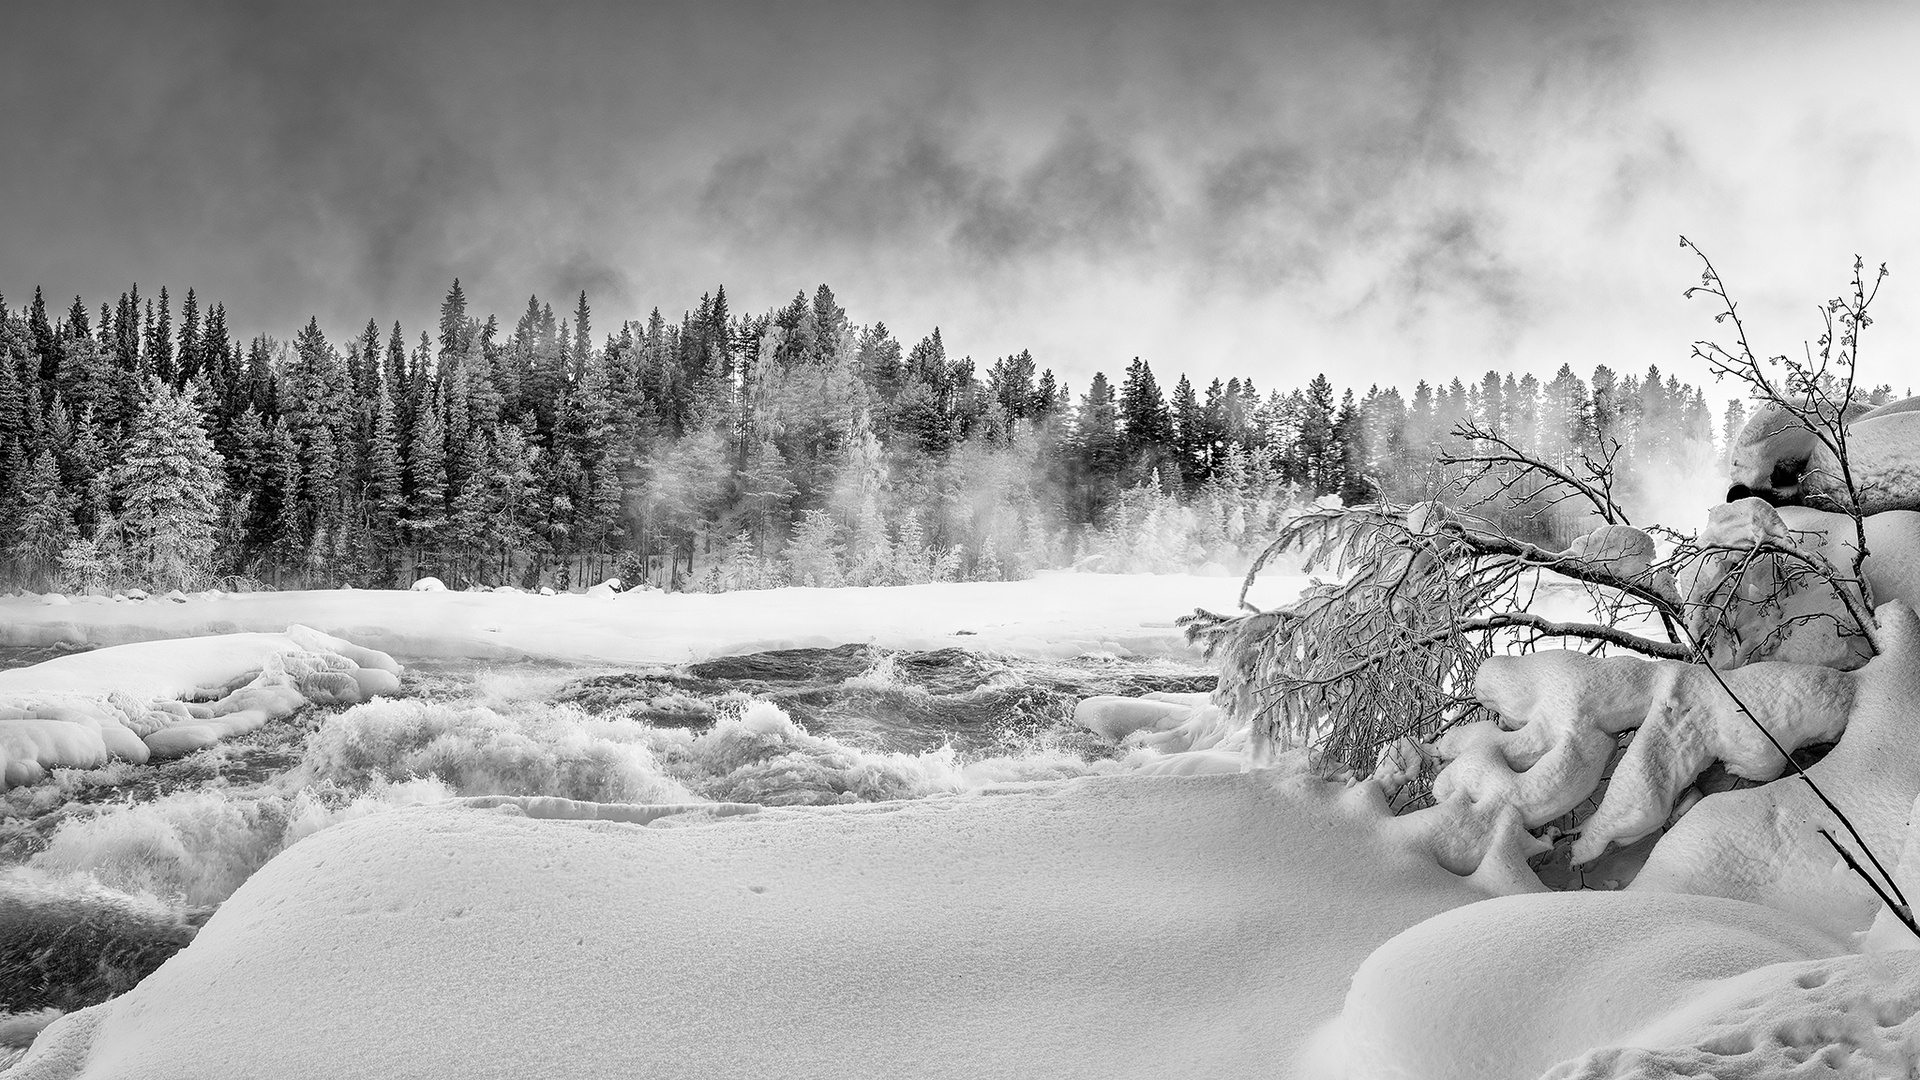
(108,871)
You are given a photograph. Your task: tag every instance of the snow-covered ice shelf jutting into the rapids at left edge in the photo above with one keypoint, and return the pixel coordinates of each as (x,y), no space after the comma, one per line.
(174,697)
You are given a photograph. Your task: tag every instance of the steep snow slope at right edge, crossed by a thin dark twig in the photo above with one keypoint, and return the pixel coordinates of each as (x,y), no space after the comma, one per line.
(1764,845)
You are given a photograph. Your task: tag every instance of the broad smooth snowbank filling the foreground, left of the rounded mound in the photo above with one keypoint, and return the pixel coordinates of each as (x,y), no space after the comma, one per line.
(1101,927)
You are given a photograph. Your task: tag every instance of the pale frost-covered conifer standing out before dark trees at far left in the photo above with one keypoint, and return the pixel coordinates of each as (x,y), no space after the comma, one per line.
(168,487)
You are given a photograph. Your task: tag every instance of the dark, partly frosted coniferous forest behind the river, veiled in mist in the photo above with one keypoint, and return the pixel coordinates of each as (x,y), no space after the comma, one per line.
(145,445)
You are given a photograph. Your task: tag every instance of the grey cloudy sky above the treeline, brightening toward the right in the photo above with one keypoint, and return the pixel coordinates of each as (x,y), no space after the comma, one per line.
(1383,191)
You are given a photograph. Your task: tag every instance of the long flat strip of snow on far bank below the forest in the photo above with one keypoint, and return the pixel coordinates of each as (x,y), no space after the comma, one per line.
(1055,614)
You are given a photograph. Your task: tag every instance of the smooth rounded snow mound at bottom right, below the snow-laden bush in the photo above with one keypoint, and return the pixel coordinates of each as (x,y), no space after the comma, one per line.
(1531,981)
